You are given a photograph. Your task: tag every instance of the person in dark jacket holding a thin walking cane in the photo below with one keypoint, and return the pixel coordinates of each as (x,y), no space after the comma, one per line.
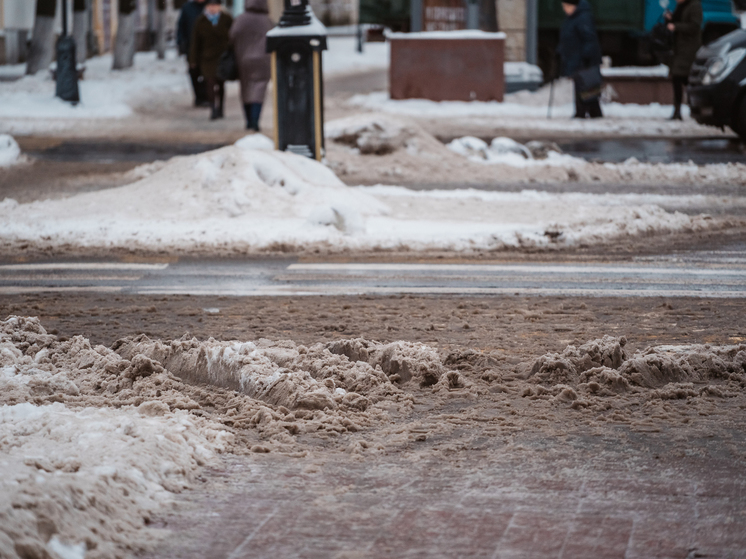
(579,49)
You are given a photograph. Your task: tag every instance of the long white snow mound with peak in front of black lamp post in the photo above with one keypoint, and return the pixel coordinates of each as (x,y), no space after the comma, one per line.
(248,200)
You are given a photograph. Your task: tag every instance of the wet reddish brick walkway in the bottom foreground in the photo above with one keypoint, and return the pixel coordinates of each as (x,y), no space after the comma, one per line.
(570,499)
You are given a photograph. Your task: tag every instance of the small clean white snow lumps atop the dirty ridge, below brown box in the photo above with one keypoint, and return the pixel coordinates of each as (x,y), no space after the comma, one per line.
(505,151)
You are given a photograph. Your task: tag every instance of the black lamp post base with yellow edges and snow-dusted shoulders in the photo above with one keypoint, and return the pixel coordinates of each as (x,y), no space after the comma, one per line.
(296,45)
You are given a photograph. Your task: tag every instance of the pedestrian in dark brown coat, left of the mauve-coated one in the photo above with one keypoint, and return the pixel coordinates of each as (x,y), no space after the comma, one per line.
(210,39)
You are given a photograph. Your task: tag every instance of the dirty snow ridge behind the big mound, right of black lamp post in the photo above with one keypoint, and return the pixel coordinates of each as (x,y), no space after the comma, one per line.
(413,155)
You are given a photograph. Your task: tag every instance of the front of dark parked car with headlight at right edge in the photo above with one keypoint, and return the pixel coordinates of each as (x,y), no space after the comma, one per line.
(717,83)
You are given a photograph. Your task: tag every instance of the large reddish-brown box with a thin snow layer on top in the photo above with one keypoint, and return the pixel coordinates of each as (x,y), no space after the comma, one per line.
(448,66)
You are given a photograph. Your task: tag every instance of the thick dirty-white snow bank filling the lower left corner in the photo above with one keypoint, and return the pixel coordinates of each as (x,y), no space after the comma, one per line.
(81,476)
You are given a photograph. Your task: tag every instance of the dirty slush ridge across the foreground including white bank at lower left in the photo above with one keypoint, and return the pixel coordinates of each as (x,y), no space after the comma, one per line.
(88,430)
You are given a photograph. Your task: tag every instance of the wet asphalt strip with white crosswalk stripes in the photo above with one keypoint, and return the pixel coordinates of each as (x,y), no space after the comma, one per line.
(702,274)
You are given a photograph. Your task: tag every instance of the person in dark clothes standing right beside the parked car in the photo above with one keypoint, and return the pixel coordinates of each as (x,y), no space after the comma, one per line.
(686,24)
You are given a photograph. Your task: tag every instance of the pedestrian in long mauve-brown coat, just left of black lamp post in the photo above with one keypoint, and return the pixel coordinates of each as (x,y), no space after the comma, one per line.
(248,36)
